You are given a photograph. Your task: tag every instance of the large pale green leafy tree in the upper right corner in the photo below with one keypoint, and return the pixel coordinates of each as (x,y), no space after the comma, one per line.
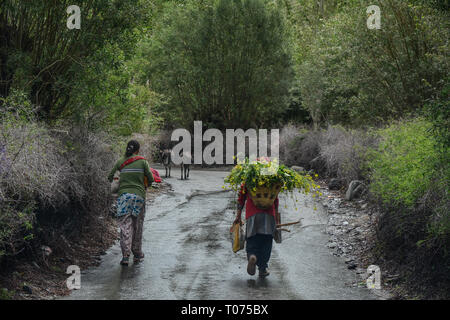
(352,75)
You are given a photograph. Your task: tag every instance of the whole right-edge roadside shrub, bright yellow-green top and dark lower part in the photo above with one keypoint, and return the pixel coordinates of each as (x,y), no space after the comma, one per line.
(411,182)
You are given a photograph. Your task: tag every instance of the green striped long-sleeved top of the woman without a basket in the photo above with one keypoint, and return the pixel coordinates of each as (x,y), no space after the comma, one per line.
(132,176)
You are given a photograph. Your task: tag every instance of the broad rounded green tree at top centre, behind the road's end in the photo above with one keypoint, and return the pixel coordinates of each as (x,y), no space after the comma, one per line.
(226,63)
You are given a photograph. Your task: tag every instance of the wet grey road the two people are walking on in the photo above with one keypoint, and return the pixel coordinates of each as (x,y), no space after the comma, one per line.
(188,253)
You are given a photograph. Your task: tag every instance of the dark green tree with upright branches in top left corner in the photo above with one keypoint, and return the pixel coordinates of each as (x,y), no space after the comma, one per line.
(45,59)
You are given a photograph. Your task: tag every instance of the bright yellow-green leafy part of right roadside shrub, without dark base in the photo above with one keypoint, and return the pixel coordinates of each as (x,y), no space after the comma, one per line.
(404,164)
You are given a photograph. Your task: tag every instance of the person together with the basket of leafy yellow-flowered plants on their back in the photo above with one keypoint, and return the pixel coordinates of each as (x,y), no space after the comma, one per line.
(258,183)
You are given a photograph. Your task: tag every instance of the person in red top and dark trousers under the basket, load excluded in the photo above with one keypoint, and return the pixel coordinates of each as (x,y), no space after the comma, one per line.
(260,227)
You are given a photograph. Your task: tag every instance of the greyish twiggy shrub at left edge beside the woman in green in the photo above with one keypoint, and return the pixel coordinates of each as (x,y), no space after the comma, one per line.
(52,181)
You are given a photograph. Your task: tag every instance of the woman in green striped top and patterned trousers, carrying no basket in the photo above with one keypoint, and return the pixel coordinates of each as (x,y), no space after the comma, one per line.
(131,201)
